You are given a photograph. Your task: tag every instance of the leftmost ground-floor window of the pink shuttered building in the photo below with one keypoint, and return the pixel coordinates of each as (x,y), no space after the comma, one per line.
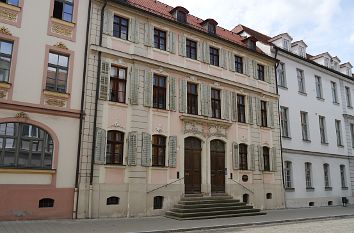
(115,146)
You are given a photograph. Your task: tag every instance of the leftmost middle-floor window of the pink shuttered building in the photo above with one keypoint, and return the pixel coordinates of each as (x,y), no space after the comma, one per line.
(118,84)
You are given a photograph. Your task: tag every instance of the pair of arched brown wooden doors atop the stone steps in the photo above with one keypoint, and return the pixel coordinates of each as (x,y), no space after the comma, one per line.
(192,166)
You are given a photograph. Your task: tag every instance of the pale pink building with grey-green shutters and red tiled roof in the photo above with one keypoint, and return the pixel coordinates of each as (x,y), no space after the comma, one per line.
(175,105)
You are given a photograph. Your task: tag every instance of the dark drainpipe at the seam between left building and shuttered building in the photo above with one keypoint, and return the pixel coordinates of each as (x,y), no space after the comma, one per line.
(76,193)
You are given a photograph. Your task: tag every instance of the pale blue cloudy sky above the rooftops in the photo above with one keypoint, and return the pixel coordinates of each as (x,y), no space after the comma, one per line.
(324,25)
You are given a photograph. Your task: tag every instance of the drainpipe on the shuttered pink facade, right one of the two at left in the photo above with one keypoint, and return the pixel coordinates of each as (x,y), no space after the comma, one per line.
(93,151)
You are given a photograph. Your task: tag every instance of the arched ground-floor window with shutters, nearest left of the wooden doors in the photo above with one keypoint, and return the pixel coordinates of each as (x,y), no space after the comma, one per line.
(158,150)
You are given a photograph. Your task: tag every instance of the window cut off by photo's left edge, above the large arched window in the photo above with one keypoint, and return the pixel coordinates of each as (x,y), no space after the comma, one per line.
(5,60)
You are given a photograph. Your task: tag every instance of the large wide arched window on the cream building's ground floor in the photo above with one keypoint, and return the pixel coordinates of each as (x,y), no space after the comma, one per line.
(25,146)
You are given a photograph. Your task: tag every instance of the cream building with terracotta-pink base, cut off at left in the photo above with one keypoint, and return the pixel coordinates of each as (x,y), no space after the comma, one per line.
(42,47)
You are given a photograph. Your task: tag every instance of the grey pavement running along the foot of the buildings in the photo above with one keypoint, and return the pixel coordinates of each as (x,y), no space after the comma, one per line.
(162,224)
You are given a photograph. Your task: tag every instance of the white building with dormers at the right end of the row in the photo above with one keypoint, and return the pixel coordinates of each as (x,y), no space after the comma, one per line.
(316,116)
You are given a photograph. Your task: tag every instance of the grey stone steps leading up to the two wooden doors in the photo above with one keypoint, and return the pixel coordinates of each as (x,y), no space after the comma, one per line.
(199,207)
